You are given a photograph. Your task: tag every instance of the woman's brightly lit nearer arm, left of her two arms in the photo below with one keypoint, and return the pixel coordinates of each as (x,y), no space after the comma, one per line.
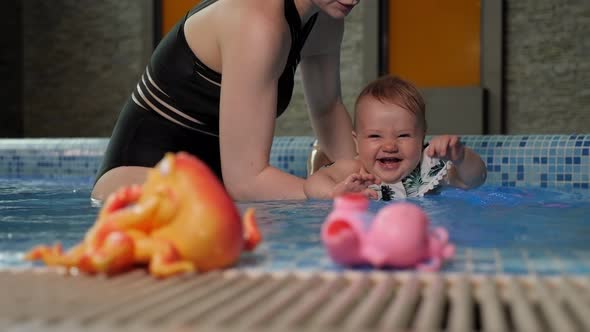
(254,48)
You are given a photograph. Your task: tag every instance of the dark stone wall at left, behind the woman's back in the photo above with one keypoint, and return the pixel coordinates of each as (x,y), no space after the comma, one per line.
(80,61)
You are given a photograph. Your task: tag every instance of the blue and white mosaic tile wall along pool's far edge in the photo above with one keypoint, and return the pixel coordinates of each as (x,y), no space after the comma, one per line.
(558,161)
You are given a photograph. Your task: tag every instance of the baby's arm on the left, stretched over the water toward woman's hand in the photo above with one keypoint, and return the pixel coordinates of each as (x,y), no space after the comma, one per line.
(341,177)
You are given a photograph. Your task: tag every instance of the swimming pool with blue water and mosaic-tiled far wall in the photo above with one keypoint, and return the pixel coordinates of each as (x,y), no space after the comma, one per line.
(530,218)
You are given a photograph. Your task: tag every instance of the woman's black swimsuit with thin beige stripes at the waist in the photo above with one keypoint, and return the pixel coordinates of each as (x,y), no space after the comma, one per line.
(175,105)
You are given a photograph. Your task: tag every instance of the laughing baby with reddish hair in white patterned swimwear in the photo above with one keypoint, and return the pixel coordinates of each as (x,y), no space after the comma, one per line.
(392,161)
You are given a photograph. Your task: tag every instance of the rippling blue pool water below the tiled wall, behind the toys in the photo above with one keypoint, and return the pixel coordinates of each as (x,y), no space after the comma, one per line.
(496,229)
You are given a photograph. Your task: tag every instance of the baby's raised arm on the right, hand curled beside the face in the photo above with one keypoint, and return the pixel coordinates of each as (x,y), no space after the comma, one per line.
(468,171)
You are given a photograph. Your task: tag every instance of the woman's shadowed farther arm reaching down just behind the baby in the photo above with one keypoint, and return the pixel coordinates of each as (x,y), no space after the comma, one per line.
(320,66)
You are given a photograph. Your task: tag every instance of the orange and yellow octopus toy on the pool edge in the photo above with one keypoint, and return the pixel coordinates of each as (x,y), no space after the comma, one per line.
(181,220)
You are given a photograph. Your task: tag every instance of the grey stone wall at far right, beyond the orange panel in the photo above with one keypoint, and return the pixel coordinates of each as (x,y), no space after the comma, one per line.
(547,66)
